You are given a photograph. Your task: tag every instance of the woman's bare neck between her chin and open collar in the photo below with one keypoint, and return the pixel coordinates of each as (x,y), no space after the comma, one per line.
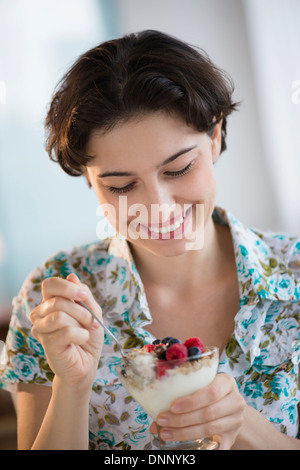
(186,270)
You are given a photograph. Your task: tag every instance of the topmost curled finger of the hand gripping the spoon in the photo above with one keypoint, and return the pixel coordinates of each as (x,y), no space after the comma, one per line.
(58,287)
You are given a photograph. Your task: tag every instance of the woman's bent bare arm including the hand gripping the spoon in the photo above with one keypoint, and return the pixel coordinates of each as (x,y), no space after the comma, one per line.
(57,418)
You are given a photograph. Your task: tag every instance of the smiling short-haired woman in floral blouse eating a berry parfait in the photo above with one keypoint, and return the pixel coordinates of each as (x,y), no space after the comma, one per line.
(144,119)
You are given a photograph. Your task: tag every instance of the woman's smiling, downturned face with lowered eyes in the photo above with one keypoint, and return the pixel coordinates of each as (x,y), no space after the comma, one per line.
(154,178)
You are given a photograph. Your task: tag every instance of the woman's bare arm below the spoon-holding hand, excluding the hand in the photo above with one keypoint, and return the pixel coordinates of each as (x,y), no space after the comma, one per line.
(52,419)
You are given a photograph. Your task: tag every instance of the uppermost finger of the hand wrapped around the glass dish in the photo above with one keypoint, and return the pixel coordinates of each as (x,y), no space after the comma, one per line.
(221,386)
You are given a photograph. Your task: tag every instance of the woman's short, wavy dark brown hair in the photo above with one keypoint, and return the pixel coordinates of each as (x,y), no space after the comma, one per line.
(136,74)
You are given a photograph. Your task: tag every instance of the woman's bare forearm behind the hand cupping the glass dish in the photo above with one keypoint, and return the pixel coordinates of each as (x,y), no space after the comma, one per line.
(257,433)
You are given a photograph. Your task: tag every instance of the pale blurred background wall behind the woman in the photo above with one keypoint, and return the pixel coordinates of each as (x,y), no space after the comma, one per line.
(42,210)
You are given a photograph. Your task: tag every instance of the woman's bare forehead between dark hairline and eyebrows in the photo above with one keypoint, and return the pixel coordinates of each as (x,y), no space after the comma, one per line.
(151,138)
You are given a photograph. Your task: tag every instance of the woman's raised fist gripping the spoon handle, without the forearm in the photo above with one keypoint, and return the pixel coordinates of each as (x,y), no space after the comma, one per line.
(71,338)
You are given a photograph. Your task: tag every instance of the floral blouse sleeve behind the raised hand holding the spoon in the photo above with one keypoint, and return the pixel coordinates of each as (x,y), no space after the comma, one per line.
(23,360)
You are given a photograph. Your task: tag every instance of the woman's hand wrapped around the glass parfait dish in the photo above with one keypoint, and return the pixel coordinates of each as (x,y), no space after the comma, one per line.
(216,410)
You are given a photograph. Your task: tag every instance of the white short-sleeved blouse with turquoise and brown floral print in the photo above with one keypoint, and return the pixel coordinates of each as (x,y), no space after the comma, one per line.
(263,353)
